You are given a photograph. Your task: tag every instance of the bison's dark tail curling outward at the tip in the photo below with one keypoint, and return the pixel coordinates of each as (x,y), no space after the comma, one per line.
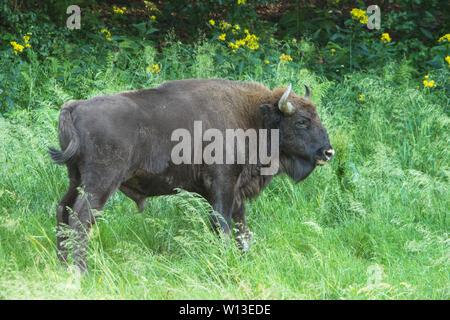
(68,136)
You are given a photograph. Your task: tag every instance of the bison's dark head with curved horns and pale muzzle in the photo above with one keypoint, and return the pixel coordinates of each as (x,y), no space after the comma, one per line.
(304,142)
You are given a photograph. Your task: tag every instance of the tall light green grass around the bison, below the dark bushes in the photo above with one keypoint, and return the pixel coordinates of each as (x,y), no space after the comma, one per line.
(371,225)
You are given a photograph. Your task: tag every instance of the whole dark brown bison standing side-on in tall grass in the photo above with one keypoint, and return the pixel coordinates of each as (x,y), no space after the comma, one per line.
(124,141)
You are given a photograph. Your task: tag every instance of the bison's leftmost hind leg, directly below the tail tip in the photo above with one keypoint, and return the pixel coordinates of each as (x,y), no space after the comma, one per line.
(62,213)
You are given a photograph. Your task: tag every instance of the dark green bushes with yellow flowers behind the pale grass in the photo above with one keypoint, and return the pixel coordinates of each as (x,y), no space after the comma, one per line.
(329,37)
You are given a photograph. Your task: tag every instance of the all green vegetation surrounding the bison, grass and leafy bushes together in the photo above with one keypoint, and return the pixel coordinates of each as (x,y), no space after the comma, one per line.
(373,224)
